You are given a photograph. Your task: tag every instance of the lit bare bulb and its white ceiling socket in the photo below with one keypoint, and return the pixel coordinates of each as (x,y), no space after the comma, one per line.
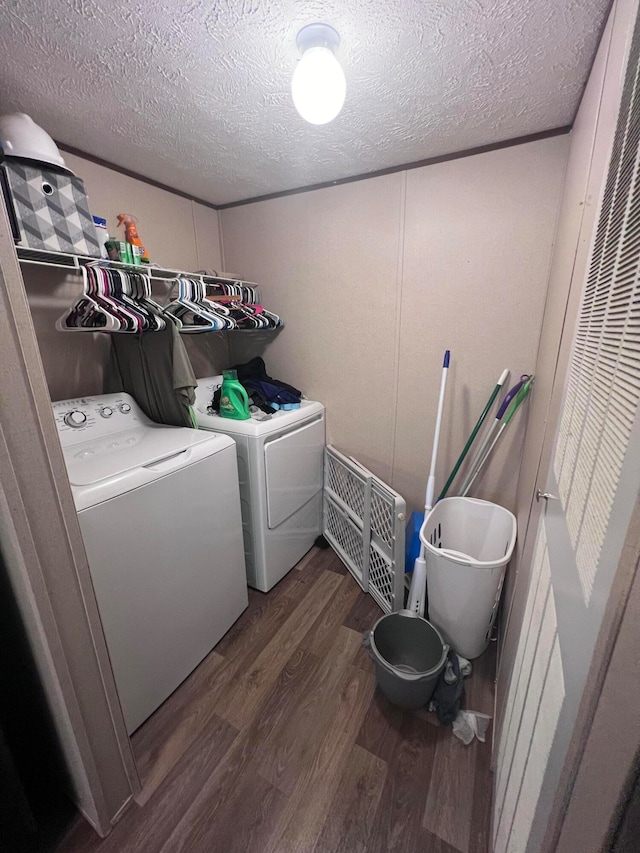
(318,86)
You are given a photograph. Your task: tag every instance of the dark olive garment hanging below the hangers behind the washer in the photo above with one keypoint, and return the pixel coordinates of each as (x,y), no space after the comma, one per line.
(155,369)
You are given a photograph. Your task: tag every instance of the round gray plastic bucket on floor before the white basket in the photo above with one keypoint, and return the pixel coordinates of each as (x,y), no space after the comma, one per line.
(409,654)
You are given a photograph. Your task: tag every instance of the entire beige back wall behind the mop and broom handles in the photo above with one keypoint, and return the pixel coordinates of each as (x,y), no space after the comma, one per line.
(376,278)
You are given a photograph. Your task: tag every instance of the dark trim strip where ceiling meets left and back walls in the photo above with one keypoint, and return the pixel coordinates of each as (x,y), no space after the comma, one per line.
(390,170)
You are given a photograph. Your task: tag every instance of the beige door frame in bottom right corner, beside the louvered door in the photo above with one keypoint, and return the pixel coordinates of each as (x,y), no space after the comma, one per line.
(602,753)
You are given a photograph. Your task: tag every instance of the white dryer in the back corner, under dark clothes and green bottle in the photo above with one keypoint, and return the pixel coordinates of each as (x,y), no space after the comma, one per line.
(280,466)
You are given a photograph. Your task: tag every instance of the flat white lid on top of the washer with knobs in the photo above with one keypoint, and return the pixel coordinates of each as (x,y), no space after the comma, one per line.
(110,456)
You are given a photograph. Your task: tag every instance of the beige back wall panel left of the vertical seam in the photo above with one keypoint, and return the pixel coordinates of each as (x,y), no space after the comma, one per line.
(328,262)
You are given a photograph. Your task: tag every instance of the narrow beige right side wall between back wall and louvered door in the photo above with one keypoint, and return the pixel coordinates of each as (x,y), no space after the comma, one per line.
(576,226)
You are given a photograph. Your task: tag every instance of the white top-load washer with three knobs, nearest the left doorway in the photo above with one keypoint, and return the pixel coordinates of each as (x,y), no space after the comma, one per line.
(159,511)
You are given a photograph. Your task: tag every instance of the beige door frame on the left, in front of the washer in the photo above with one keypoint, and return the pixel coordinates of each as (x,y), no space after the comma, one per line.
(48,570)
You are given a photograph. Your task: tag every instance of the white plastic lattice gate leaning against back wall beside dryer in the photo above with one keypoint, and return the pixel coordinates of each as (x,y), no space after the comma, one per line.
(364,522)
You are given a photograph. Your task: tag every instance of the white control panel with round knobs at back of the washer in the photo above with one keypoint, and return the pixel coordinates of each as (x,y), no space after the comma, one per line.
(92,417)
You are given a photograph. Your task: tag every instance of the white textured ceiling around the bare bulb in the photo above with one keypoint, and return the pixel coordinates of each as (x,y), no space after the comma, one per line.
(196,94)
